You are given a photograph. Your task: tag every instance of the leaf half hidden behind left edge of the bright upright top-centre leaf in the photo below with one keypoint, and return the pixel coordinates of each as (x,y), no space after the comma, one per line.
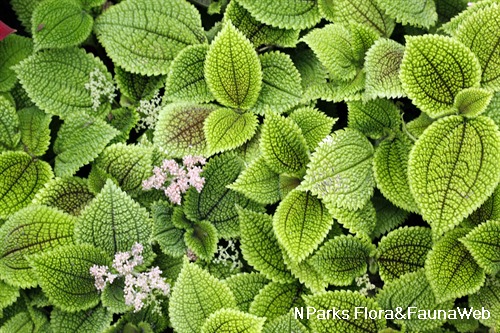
(186,77)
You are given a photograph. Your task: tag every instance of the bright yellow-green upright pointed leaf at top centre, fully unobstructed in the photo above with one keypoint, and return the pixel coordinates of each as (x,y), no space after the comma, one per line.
(232,69)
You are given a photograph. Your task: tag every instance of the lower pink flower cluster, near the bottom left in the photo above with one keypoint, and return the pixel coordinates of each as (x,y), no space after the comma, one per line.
(140,288)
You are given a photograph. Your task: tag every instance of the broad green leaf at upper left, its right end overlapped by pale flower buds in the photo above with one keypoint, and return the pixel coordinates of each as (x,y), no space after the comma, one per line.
(55,80)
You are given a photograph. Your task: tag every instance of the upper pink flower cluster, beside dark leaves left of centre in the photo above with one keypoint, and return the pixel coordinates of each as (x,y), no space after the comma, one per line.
(179,177)
